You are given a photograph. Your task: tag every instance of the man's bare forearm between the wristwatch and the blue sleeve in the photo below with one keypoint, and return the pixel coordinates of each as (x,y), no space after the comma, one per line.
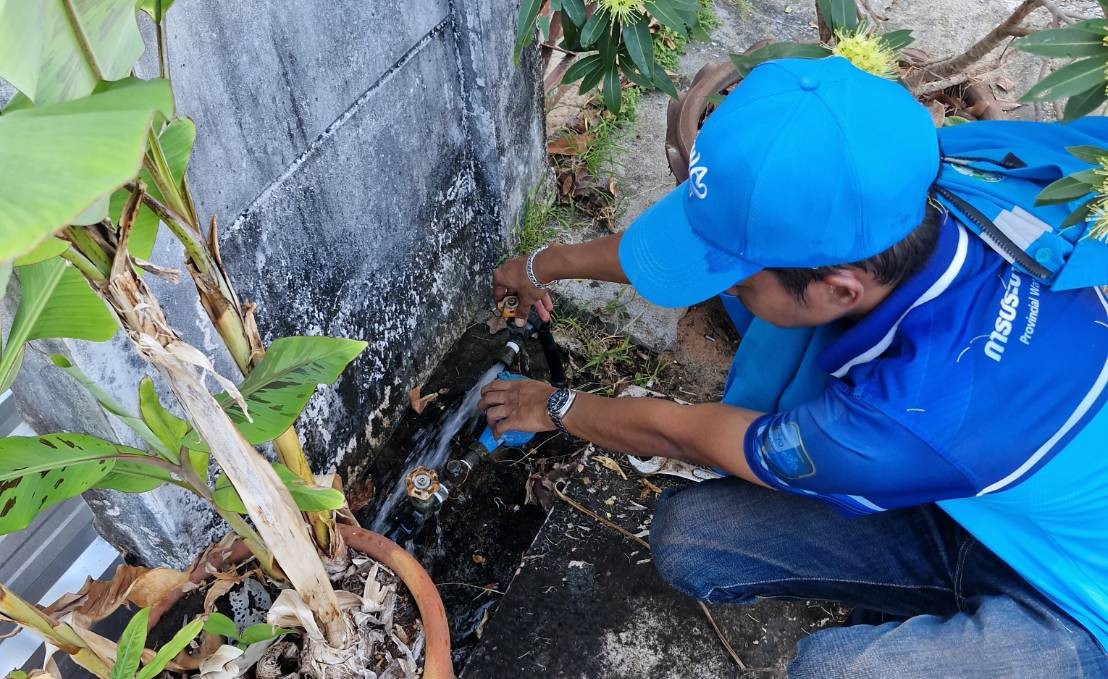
(710,435)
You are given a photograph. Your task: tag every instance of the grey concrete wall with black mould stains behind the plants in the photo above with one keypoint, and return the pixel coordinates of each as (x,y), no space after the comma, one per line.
(367,160)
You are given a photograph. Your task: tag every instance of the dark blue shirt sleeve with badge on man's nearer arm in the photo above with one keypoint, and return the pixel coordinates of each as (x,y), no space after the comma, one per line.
(848,454)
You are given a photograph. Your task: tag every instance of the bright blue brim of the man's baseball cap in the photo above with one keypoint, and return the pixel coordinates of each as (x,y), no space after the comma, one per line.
(672,266)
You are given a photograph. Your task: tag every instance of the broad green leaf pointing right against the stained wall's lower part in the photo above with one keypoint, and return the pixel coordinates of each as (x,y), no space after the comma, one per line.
(281,385)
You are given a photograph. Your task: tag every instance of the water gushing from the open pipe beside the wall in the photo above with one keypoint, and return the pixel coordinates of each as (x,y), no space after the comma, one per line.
(432,447)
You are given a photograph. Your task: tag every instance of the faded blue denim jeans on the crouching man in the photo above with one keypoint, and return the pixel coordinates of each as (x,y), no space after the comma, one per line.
(967,614)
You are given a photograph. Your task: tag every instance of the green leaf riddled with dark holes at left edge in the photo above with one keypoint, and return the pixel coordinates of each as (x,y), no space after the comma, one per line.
(37,472)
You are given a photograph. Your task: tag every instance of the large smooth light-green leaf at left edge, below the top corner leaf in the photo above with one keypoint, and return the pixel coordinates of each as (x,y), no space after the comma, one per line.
(61,159)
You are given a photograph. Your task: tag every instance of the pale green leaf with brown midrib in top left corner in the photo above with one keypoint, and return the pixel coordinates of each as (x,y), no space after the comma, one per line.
(43,56)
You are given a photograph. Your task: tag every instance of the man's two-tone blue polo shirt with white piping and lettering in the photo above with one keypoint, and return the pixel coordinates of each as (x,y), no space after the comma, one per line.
(976,388)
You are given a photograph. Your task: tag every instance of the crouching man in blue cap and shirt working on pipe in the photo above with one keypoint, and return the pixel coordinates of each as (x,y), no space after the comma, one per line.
(915,423)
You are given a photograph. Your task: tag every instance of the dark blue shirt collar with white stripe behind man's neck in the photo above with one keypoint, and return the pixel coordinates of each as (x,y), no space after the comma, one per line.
(869,338)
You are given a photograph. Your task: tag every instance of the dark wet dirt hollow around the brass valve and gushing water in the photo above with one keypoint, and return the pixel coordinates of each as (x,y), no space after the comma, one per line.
(473,544)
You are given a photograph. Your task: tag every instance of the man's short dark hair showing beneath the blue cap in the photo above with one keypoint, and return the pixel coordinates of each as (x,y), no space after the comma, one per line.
(900,262)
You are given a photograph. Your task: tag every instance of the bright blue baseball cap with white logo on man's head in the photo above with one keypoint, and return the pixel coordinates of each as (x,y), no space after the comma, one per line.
(808,163)
